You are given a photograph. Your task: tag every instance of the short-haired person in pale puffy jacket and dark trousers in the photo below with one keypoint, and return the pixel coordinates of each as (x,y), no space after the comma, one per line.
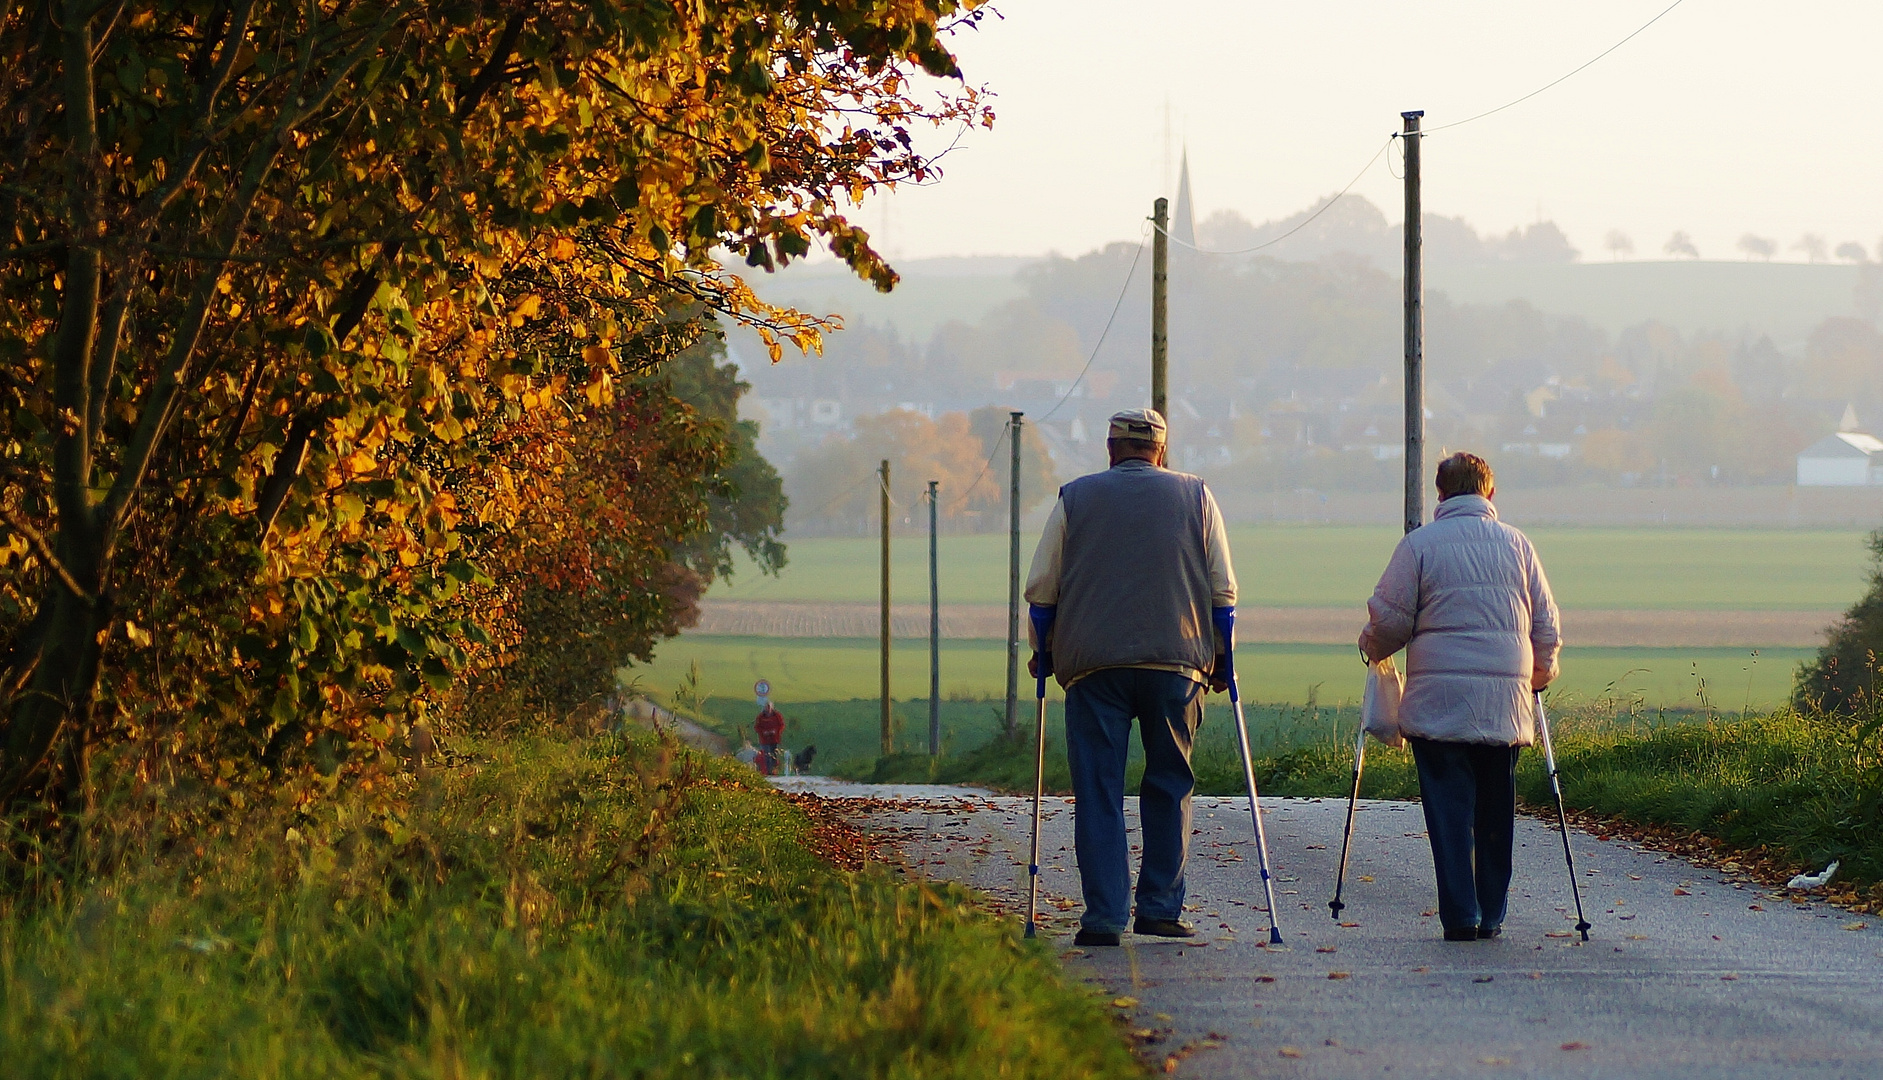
(1468,601)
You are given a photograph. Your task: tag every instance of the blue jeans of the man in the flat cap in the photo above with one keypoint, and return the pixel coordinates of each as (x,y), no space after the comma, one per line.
(1099,731)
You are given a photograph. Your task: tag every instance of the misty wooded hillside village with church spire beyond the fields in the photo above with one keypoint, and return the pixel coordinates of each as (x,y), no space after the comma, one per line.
(1287,370)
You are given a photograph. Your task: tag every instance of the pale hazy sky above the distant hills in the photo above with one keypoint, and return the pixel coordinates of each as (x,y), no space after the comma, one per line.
(1724,118)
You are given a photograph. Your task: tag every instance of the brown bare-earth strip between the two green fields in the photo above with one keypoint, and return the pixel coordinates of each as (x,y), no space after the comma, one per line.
(1270,626)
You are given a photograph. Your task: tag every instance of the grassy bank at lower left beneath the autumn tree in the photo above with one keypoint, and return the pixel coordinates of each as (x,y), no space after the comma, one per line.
(558,910)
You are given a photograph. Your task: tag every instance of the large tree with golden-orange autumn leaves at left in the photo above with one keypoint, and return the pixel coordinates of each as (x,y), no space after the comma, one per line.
(268,285)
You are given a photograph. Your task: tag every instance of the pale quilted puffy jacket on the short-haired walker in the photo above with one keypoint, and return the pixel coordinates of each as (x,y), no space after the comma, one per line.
(1468,601)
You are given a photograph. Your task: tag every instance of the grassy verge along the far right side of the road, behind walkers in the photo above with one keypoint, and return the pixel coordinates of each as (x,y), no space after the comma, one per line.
(1807,789)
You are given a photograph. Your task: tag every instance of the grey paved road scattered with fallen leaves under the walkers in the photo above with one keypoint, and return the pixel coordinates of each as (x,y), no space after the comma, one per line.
(1690,974)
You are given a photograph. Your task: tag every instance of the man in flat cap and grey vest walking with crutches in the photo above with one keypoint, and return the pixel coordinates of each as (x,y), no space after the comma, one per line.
(1133,562)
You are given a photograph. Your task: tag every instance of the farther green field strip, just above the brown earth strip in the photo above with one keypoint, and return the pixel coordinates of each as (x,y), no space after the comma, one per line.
(1328,567)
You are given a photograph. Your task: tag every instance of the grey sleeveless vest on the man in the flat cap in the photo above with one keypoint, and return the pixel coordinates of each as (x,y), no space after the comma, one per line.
(1135,575)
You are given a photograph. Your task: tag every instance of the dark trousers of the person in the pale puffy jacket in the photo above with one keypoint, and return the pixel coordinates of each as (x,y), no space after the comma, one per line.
(1472,806)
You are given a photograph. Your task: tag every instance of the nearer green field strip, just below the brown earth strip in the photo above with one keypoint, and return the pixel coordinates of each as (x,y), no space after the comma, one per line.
(843,669)
